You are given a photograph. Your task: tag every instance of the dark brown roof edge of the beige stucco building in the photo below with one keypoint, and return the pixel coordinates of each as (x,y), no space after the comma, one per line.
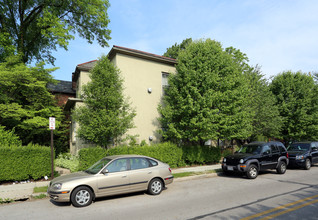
(127,51)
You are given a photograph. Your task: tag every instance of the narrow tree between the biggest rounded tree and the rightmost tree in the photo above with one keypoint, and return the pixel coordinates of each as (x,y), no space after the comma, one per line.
(267,121)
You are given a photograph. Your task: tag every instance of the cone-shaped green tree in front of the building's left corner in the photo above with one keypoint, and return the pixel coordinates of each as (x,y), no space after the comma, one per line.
(106,115)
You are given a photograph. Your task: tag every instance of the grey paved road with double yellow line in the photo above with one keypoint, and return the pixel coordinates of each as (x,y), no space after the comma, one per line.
(270,195)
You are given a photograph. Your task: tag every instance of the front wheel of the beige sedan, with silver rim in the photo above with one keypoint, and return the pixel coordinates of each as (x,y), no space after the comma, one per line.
(82,196)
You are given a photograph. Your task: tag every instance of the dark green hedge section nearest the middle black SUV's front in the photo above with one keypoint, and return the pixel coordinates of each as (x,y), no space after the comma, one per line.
(201,154)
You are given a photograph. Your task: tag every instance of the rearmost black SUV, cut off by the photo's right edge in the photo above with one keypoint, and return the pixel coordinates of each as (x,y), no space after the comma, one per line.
(303,154)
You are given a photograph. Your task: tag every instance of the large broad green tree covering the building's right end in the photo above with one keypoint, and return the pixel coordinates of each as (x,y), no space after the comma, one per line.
(207,98)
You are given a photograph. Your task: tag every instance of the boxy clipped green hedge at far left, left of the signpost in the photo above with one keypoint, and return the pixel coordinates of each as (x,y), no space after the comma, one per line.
(23,163)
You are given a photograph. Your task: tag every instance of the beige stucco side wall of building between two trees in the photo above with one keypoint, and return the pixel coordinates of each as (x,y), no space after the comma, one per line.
(139,75)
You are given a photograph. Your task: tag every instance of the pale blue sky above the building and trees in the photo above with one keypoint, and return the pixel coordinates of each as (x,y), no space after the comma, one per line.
(278,35)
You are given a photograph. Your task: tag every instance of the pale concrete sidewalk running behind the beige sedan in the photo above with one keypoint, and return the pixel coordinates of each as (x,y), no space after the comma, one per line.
(22,191)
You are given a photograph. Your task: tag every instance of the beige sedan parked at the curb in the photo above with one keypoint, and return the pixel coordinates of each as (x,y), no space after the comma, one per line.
(111,176)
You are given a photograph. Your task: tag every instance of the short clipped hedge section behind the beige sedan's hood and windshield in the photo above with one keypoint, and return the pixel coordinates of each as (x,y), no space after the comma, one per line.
(88,156)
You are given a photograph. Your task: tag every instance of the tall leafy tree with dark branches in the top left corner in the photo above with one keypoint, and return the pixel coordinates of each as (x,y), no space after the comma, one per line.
(36,27)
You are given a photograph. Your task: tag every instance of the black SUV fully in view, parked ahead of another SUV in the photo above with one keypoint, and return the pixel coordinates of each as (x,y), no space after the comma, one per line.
(257,156)
